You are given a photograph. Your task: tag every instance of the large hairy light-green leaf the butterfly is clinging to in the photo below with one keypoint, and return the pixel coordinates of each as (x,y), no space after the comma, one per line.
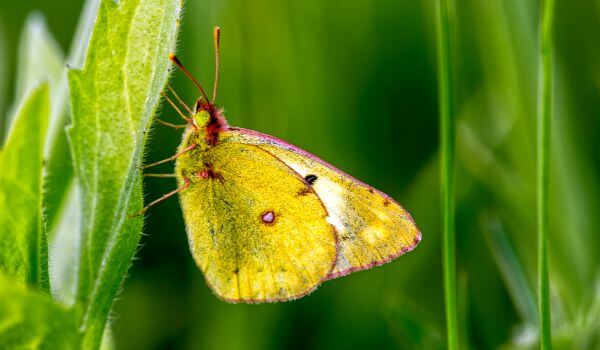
(113,100)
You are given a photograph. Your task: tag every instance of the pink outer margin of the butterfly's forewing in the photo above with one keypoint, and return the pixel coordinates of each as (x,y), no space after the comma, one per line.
(271,140)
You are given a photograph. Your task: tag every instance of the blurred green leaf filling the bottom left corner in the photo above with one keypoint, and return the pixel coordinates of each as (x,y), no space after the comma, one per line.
(31,320)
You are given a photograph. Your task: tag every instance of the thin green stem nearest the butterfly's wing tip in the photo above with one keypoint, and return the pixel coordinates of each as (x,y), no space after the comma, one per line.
(446,101)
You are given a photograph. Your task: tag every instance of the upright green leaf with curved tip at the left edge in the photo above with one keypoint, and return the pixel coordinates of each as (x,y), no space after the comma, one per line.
(23,251)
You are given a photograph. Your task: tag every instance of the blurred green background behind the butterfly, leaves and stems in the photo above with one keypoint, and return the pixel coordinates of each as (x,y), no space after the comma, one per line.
(354,82)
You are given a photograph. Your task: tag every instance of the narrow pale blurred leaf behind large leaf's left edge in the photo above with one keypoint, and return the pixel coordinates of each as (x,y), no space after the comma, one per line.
(61,193)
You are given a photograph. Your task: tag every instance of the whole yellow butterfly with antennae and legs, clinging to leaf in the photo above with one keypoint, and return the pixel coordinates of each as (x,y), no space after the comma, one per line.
(267,221)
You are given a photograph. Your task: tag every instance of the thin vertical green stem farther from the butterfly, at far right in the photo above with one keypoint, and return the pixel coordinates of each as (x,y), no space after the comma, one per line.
(544,121)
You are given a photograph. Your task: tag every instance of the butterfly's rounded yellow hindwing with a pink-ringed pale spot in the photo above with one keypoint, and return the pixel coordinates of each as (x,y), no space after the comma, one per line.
(256,229)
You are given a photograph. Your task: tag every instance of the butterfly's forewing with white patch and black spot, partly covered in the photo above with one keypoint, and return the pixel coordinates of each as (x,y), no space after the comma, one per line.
(371,227)
